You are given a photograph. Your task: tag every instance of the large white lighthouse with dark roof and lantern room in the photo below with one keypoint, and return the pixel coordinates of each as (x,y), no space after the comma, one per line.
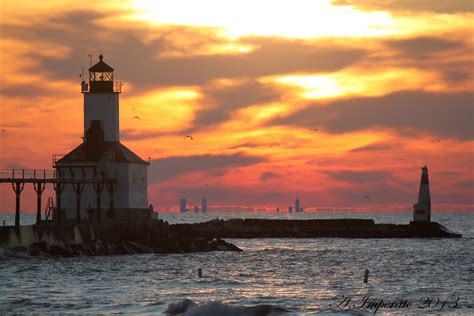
(101,155)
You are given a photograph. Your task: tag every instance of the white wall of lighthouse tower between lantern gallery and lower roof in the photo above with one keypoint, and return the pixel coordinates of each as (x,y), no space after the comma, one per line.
(103,107)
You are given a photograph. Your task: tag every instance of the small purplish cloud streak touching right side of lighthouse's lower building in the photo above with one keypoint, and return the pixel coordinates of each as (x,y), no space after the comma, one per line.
(166,168)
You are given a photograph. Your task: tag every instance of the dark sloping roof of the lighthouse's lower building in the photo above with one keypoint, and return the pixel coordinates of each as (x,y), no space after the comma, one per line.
(120,153)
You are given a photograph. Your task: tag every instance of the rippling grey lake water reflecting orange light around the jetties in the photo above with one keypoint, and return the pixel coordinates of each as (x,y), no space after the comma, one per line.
(302,276)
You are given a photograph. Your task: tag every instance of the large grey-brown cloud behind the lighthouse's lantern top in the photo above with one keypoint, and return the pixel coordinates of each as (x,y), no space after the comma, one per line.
(143,63)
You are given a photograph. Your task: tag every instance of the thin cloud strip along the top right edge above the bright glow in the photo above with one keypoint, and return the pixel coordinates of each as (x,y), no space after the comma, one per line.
(451,6)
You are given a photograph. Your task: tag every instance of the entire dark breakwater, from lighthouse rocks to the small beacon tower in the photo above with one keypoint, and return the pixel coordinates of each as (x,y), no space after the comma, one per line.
(157,236)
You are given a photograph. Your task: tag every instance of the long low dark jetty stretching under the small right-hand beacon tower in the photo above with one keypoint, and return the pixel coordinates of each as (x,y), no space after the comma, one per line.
(340,228)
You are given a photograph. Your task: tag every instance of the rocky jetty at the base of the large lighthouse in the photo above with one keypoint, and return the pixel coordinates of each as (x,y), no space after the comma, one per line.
(69,240)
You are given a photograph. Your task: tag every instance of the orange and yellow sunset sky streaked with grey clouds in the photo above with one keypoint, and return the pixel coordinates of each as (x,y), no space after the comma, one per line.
(328,101)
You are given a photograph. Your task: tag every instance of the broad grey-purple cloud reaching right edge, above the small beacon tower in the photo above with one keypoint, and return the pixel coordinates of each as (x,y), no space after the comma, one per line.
(444,114)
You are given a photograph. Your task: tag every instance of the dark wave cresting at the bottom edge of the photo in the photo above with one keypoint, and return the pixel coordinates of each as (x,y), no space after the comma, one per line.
(188,307)
